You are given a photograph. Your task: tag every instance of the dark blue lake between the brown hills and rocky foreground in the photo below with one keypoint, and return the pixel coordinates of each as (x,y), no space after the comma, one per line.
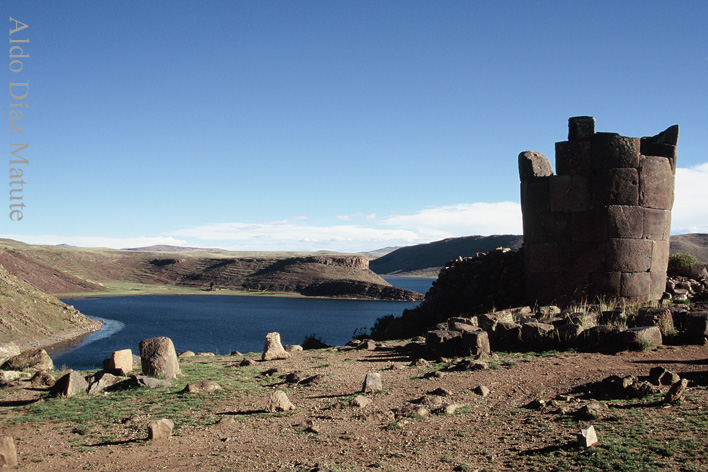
(222,323)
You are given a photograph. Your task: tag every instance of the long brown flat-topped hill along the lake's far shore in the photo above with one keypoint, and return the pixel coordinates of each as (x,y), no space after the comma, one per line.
(65,270)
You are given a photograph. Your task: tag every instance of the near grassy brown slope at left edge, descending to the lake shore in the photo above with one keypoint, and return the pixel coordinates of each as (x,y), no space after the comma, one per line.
(30,315)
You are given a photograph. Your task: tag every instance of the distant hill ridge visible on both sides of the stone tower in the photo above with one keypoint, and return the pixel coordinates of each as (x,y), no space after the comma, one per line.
(426,260)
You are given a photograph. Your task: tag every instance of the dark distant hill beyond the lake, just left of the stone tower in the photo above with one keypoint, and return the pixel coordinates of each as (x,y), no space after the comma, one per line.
(426,260)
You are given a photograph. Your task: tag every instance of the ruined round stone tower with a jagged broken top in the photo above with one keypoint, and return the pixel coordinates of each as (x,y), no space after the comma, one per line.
(601,225)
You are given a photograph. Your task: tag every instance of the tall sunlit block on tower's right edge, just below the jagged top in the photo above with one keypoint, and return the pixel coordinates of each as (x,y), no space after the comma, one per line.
(656,183)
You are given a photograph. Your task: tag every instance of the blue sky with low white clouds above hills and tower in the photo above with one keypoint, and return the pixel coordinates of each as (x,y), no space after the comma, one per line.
(348,125)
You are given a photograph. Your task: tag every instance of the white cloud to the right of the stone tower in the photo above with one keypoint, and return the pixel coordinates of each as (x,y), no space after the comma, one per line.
(690,212)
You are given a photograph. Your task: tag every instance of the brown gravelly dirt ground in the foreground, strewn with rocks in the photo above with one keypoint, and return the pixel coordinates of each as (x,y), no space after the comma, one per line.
(324,432)
